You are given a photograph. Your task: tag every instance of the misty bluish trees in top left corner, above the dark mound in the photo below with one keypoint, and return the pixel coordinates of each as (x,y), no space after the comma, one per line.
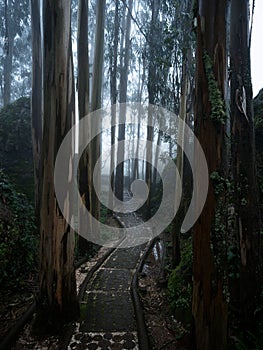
(15,49)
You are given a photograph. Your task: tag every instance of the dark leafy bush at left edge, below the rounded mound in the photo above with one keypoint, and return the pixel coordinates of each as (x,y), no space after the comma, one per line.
(18,241)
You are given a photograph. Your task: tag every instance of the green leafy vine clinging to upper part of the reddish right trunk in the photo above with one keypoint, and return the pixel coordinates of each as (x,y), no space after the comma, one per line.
(218,112)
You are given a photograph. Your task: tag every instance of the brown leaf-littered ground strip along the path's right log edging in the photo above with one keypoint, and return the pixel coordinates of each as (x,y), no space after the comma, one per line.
(164,331)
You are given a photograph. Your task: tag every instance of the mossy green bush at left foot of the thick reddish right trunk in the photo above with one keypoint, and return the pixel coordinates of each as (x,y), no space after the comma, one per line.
(180,280)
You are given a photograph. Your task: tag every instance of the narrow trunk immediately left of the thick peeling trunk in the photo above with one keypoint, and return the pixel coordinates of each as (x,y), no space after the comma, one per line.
(37,97)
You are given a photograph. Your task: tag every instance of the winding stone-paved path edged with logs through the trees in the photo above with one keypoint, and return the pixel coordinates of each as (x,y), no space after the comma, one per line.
(107,311)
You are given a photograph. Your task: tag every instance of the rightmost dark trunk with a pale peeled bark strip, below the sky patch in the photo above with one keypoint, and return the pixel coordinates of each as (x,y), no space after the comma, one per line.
(246,205)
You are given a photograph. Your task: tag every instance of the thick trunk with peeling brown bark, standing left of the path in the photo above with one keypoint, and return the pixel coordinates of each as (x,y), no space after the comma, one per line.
(57,301)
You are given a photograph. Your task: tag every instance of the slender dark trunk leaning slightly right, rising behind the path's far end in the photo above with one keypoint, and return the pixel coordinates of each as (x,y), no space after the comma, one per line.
(119,180)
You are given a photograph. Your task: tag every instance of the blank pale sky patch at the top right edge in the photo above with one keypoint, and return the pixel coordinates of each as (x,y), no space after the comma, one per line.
(257,48)
